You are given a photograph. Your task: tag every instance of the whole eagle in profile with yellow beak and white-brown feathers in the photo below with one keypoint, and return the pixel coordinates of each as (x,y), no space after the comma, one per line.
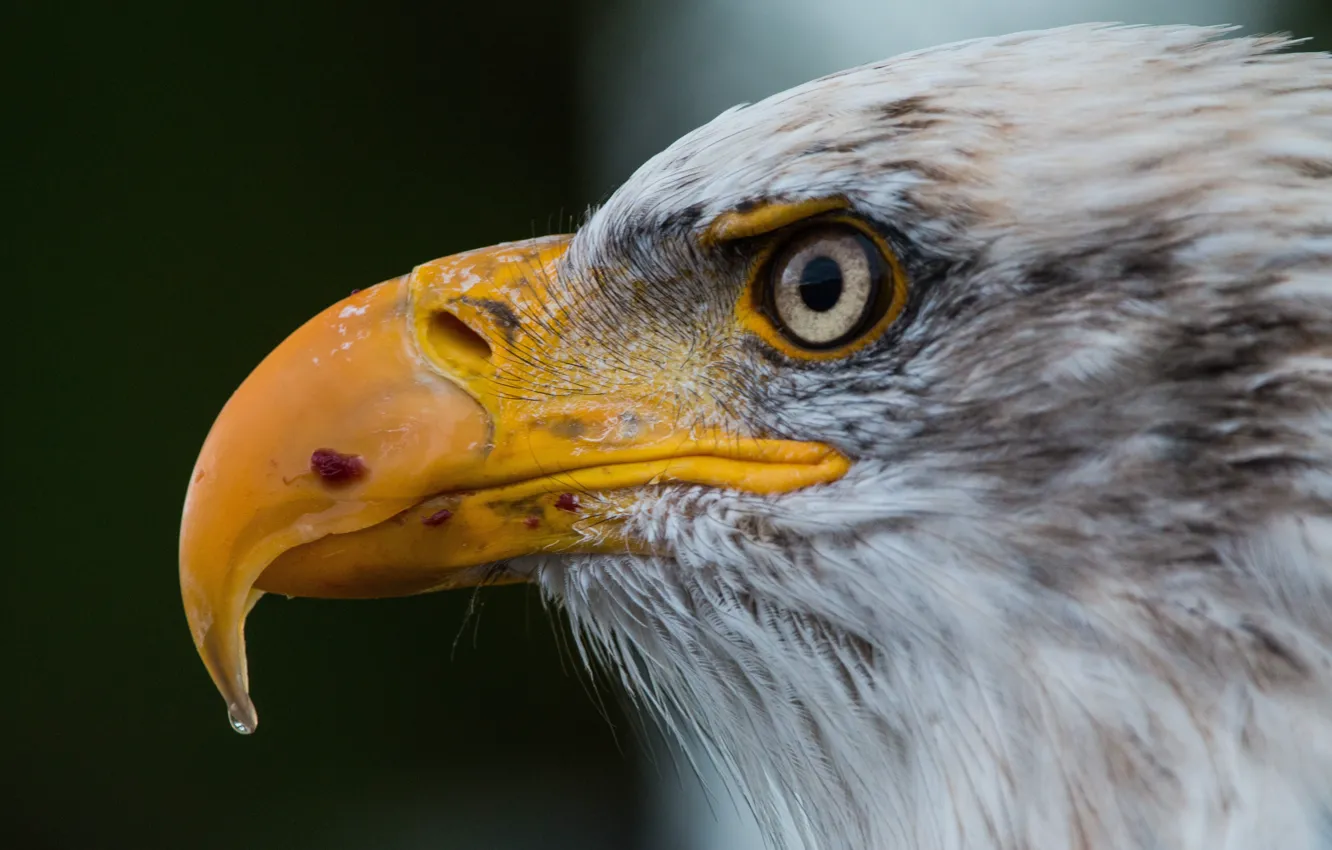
(946,444)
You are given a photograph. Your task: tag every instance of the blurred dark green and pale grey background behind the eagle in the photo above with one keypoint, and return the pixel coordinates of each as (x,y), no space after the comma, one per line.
(195,181)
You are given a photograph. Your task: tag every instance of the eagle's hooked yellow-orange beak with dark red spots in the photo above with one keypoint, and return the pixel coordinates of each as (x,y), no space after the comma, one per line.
(414,434)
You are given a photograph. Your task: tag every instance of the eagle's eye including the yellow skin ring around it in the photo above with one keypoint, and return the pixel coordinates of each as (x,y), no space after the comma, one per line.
(825,291)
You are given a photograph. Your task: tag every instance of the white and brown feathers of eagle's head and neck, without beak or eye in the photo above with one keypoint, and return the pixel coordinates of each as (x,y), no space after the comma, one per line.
(1077,590)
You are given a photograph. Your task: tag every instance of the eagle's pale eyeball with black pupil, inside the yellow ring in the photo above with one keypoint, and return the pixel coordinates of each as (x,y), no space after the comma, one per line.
(829,287)
